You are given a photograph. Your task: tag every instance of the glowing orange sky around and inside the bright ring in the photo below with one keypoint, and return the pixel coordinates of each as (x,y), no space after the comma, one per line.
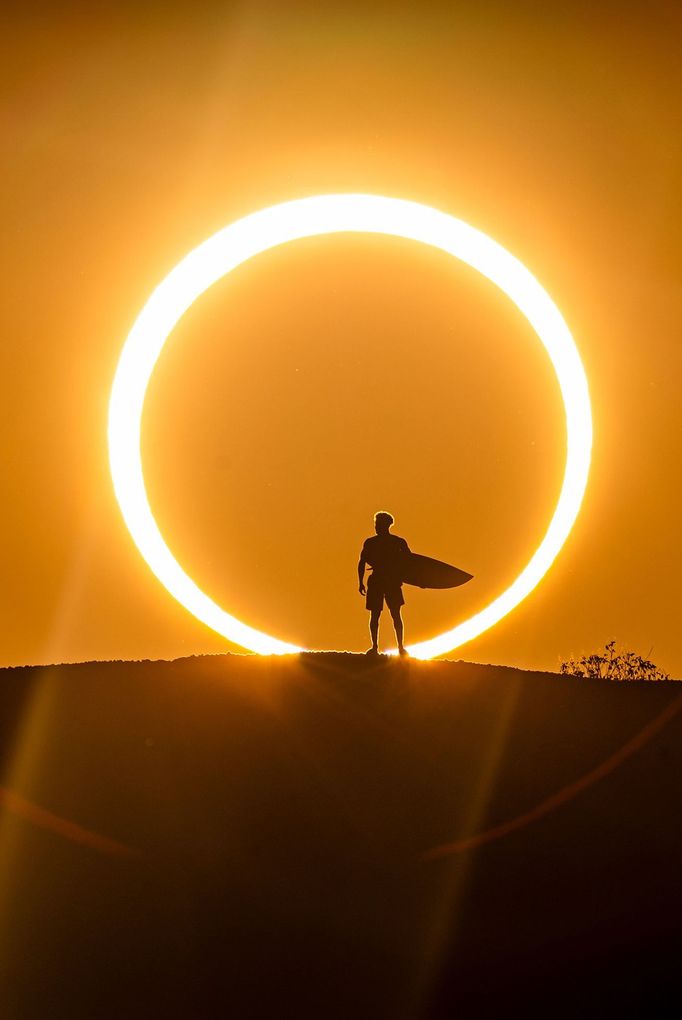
(336,377)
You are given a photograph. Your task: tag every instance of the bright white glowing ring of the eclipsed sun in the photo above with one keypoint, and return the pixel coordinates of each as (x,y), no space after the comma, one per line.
(303,219)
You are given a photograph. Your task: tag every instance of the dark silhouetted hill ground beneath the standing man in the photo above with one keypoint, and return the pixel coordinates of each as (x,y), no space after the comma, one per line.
(237,837)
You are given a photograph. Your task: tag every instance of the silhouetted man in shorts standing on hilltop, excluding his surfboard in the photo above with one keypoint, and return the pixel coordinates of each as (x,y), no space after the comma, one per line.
(386,554)
